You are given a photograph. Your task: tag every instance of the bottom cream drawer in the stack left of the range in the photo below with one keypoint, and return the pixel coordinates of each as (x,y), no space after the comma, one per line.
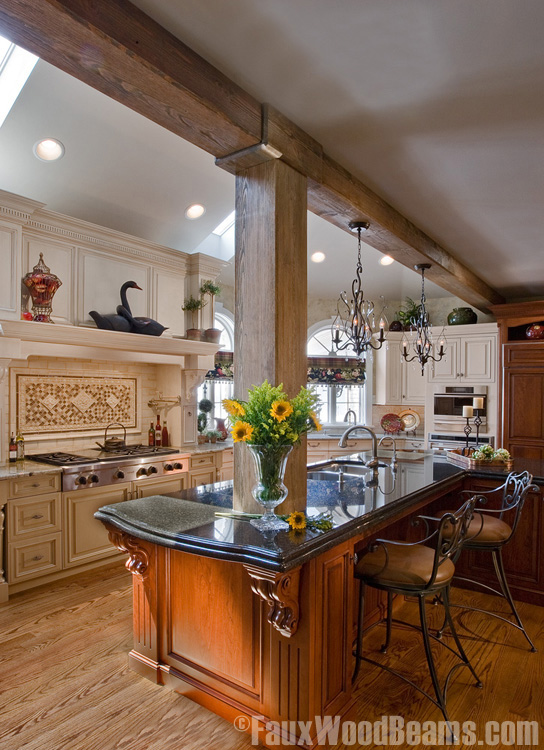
(34,557)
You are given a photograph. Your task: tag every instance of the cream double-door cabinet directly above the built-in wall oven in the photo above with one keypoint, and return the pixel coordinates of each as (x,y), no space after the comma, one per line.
(471,355)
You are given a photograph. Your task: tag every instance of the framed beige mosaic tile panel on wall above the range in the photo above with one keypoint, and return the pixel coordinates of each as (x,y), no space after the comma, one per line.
(58,403)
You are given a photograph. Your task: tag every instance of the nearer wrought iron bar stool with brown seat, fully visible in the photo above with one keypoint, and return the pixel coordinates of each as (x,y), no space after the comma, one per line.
(414,569)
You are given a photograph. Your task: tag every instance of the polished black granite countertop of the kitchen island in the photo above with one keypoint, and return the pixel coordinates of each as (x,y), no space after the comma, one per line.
(186,520)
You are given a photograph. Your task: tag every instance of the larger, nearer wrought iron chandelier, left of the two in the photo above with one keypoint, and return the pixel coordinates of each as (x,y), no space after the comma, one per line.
(354,325)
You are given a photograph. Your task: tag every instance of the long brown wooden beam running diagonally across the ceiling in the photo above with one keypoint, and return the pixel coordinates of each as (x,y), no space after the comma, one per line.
(114,47)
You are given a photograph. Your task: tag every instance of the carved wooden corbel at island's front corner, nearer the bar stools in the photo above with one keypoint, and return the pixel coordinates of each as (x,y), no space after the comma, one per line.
(280,592)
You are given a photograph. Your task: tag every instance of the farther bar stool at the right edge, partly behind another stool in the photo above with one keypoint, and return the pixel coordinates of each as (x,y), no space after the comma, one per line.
(489,532)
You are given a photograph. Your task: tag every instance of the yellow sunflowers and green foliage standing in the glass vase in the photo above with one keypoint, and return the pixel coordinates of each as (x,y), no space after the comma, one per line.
(269,417)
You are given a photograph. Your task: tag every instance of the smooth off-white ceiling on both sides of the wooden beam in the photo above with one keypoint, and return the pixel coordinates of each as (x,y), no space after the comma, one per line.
(438,107)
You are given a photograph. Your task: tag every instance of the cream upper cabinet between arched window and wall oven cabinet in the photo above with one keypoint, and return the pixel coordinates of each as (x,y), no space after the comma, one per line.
(397,381)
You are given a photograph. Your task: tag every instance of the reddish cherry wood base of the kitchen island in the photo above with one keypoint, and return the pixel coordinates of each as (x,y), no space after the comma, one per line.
(242,640)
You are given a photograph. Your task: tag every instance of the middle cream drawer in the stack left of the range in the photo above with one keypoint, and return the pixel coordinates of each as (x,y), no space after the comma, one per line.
(33,516)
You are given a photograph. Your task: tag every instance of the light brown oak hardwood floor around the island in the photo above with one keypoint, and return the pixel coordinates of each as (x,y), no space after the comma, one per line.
(65,684)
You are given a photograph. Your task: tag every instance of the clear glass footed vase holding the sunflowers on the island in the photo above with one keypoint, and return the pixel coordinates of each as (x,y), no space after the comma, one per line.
(270,491)
